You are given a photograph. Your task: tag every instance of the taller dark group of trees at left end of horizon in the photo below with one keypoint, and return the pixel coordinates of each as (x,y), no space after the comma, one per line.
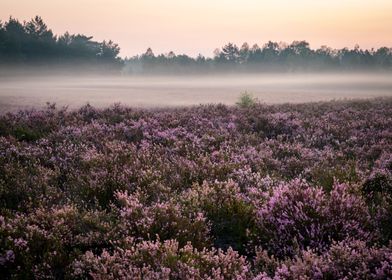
(32,42)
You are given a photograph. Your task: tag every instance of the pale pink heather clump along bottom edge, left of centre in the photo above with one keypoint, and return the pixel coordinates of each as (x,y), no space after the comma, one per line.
(162,260)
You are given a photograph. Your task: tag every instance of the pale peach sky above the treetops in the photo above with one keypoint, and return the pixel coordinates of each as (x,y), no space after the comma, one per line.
(199,26)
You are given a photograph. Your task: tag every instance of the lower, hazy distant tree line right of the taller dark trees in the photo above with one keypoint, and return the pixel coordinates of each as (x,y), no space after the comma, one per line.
(272,56)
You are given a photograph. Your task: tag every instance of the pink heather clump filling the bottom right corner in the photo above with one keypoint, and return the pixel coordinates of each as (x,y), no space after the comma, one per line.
(344,260)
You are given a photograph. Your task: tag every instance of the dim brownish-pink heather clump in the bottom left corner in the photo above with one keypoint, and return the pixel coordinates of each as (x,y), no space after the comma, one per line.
(44,243)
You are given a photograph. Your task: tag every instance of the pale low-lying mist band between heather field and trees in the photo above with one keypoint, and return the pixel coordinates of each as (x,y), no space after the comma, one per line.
(21,92)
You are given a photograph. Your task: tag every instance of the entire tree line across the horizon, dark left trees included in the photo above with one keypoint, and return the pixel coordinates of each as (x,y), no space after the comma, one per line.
(32,43)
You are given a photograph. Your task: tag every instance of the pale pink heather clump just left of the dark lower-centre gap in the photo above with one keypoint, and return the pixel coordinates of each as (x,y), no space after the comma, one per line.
(165,220)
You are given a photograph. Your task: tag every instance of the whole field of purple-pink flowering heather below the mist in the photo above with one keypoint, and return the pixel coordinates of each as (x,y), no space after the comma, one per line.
(205,192)
